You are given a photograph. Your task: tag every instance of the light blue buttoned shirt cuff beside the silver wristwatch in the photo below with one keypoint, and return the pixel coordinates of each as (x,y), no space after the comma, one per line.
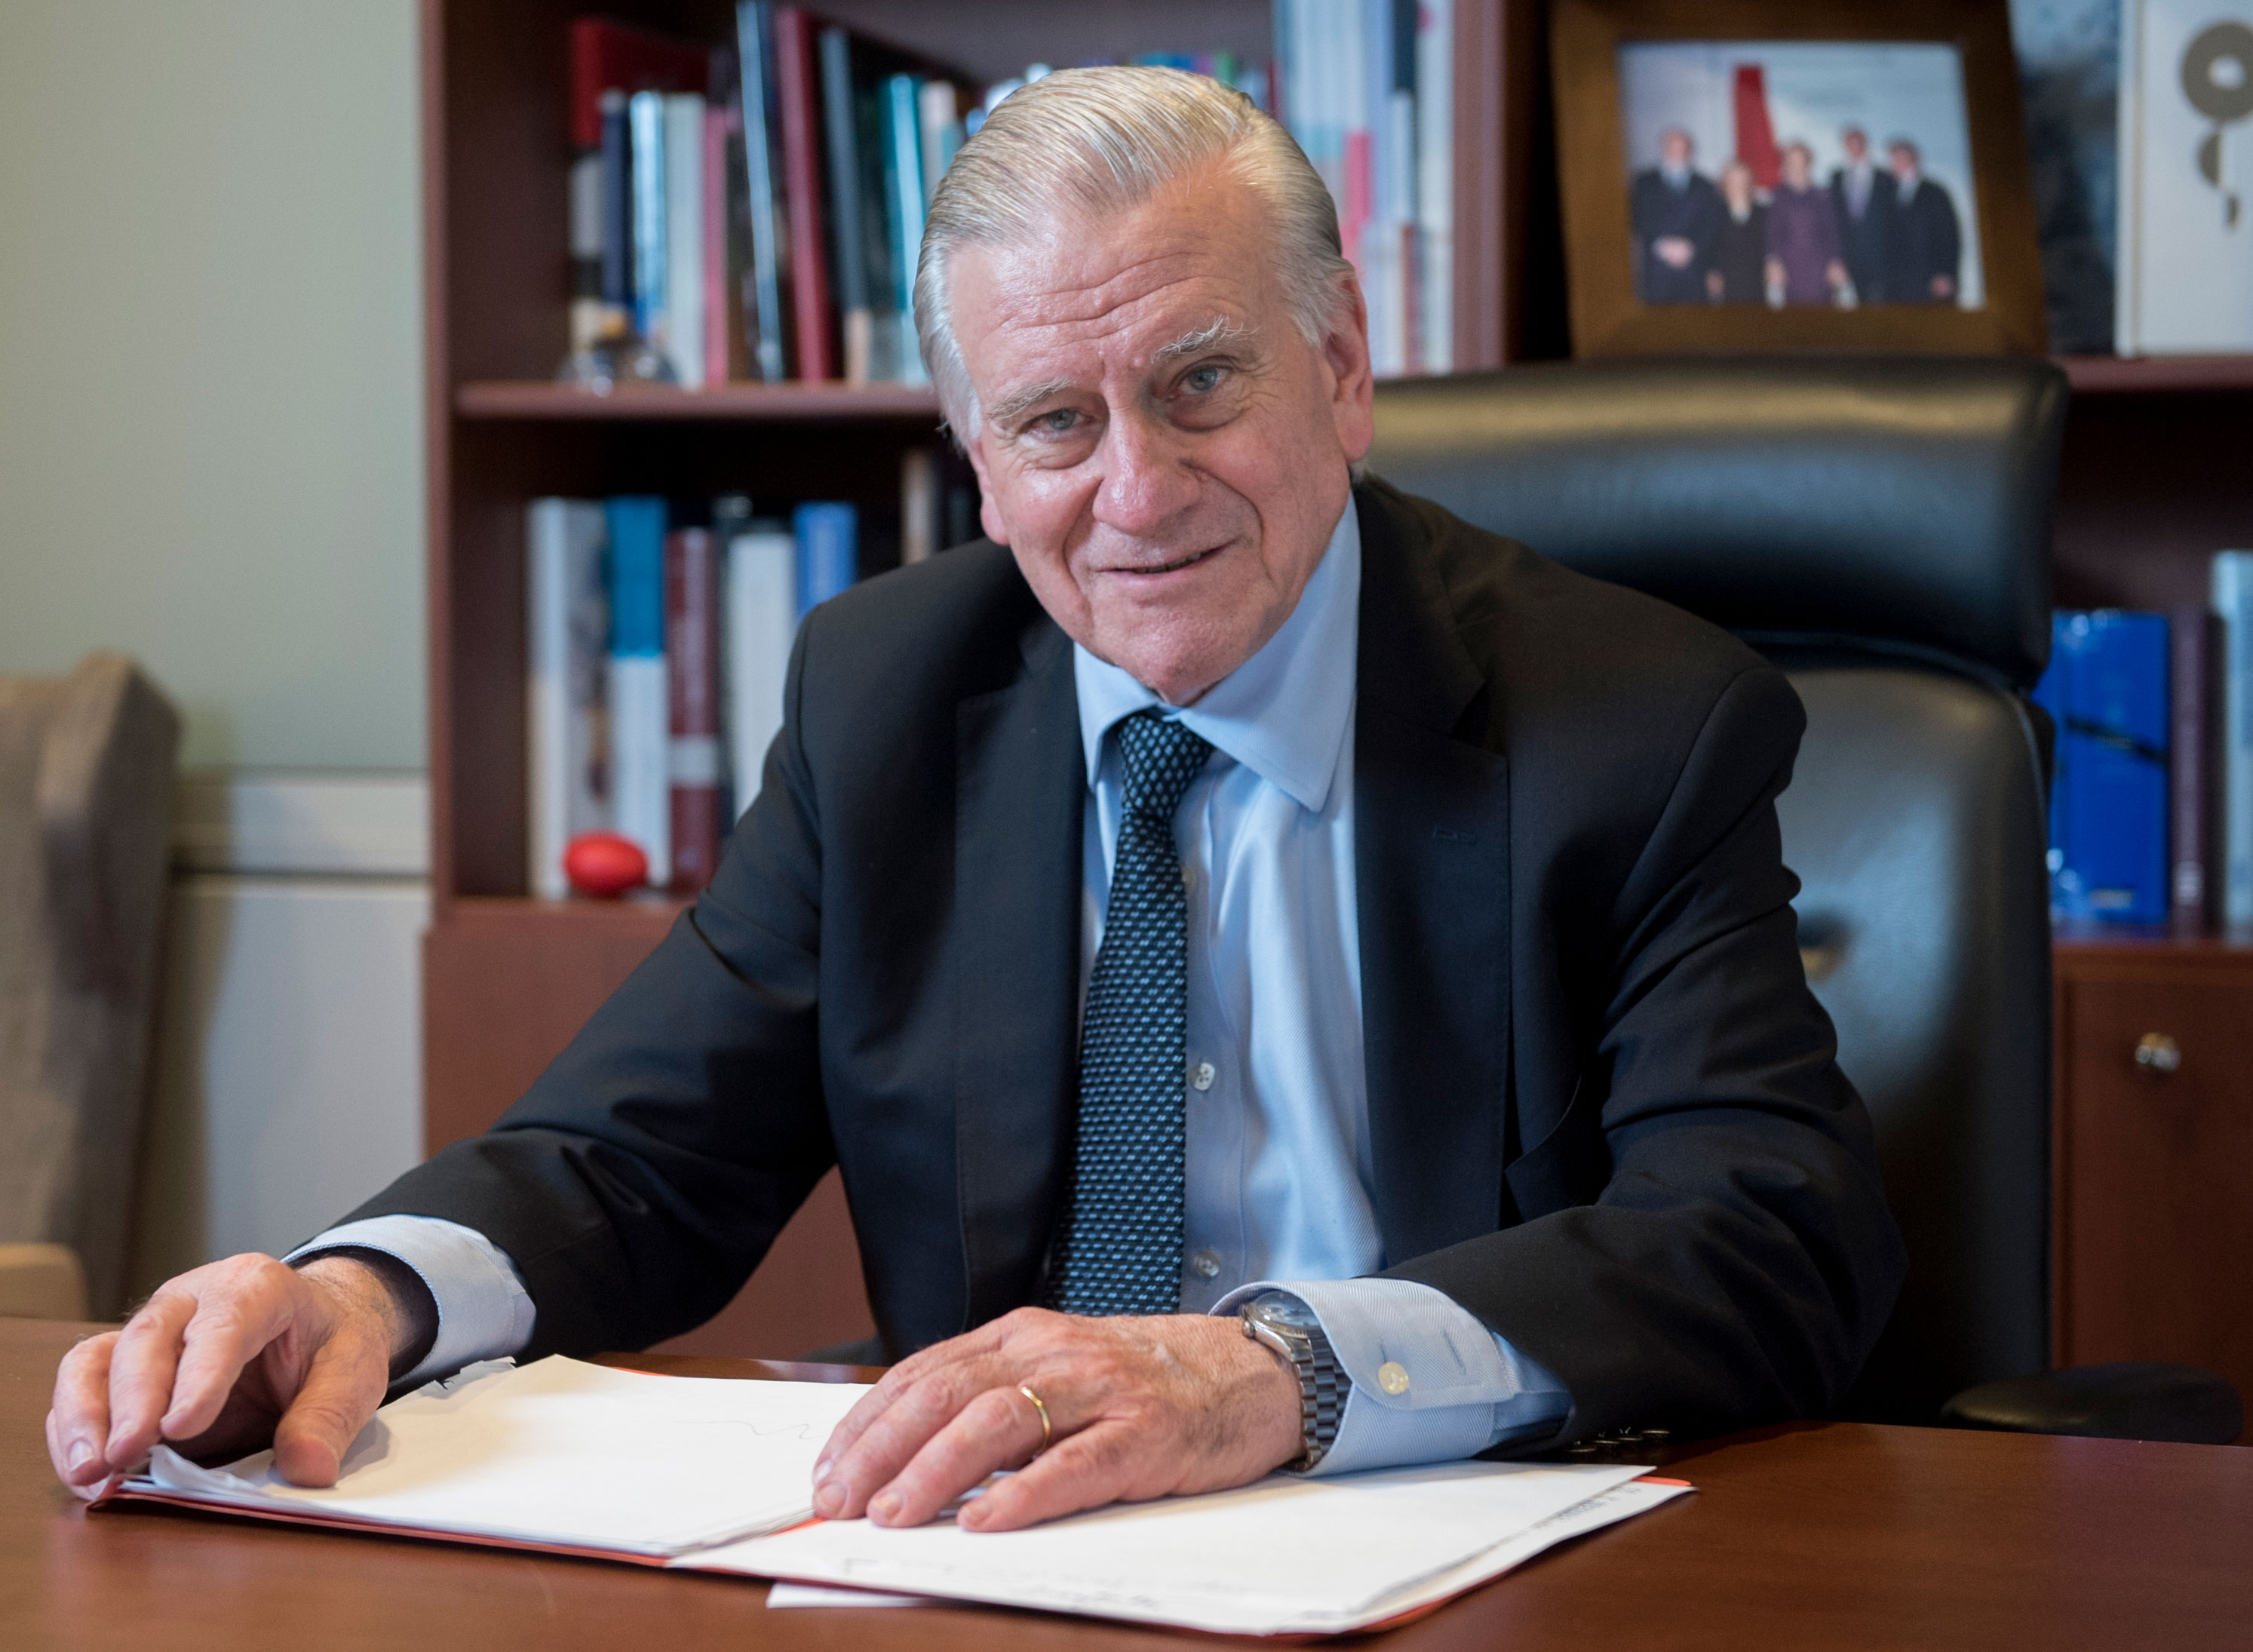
(1463,1389)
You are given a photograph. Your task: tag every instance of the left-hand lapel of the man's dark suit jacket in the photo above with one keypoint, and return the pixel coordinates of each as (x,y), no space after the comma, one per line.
(1019,794)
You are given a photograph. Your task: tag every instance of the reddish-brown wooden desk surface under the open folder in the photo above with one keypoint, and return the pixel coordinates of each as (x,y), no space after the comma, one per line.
(1822,1536)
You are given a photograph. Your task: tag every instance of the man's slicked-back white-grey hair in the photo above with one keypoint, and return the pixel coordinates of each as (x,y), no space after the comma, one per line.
(1098,143)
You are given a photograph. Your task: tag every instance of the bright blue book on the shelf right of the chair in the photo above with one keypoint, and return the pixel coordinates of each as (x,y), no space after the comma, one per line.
(2108,691)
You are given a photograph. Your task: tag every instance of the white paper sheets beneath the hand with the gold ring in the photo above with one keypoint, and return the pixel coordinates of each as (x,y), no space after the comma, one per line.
(1285,1556)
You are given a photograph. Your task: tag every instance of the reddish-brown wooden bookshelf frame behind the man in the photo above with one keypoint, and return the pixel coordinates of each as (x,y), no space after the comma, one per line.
(2150,490)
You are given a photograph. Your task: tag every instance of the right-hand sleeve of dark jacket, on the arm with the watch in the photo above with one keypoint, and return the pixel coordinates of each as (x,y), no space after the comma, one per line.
(1704,1236)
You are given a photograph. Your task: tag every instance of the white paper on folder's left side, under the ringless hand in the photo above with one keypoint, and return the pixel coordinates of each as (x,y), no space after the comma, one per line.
(562,1453)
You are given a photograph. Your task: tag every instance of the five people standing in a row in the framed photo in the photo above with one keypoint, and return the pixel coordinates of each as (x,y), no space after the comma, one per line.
(1869,236)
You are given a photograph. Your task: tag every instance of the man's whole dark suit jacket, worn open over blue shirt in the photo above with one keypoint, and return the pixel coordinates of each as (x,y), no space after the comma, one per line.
(1603,1103)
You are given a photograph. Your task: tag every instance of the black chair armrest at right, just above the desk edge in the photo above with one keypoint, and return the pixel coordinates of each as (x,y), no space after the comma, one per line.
(2130,1401)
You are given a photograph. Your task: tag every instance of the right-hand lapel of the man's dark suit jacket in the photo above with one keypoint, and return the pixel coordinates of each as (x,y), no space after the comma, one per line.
(1432,860)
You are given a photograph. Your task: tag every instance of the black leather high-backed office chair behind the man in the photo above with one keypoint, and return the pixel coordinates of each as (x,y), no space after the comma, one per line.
(1882,531)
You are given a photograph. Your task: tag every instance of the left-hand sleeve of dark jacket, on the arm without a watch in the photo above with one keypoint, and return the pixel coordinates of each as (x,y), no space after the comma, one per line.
(648,1171)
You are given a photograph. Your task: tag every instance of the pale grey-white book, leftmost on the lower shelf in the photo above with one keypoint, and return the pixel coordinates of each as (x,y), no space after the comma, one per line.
(569,650)
